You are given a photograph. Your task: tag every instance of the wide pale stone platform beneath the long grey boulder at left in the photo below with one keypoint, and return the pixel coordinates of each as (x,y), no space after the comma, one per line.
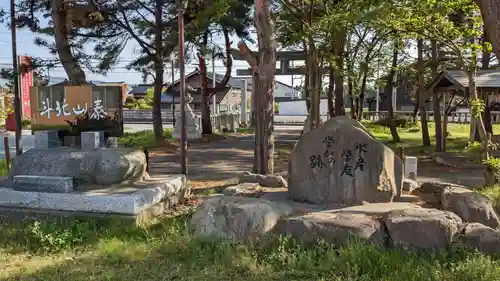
(129,199)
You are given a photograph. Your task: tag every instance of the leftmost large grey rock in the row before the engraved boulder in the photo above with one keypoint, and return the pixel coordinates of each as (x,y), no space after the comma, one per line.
(237,218)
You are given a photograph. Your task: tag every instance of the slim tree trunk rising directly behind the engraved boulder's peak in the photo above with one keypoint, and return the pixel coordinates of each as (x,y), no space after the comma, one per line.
(339,74)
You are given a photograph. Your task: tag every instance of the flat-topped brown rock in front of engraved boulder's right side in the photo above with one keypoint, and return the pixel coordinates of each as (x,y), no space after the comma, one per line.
(422,229)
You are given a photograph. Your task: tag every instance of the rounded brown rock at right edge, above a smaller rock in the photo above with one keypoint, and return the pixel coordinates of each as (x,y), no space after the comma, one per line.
(470,206)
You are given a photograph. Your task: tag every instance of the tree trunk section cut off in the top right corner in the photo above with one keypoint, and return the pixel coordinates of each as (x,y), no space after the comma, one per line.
(490,11)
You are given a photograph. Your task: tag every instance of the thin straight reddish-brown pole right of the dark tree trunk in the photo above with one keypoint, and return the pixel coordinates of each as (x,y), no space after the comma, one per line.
(182,90)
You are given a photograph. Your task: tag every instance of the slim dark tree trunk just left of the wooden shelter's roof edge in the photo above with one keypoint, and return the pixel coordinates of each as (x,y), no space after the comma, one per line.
(426,140)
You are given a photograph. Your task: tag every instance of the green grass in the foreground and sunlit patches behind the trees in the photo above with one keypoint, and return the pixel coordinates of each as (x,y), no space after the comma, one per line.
(98,249)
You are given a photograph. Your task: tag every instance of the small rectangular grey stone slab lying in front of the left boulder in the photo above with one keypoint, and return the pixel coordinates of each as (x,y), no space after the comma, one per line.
(43,183)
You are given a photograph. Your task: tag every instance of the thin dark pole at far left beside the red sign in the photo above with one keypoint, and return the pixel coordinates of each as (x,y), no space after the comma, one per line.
(17,100)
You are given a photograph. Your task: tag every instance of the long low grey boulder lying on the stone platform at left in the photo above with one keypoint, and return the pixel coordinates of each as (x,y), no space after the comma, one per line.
(103,166)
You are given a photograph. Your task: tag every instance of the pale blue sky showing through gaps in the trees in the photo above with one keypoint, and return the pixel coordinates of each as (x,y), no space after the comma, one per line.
(26,46)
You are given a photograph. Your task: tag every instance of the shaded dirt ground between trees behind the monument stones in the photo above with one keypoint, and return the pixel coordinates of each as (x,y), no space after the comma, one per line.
(226,159)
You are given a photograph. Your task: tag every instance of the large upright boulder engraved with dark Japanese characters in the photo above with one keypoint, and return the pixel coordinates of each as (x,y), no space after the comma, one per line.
(341,163)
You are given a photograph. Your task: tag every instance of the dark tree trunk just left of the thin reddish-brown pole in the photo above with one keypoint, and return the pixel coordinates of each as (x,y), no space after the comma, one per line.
(158,64)
